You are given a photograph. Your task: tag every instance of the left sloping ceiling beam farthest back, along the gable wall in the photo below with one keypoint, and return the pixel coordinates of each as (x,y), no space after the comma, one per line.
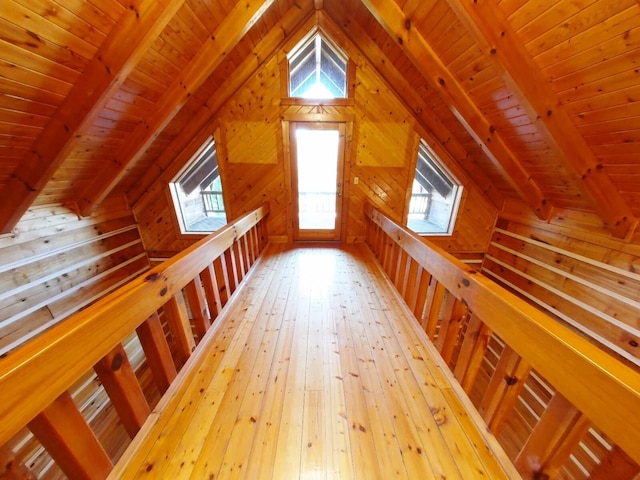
(167,165)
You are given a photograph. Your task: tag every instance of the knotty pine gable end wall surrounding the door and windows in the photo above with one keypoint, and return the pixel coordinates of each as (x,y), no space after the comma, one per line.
(251,132)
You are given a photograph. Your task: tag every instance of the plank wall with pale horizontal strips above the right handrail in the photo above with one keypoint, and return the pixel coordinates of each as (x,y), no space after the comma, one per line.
(573,269)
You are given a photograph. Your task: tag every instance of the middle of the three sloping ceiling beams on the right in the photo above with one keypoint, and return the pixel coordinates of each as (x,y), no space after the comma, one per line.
(399,27)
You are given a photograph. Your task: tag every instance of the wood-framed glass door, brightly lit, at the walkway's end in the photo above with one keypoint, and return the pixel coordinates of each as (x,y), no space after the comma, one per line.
(317,153)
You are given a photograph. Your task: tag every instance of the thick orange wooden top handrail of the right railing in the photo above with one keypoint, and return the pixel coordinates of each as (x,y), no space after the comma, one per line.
(600,386)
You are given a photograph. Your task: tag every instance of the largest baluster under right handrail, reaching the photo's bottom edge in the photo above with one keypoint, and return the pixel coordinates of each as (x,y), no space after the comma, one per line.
(553,439)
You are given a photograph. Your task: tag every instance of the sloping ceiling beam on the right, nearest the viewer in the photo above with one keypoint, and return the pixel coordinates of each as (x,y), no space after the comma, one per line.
(496,38)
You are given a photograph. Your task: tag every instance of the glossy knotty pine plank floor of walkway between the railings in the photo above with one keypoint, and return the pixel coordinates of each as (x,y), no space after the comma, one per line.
(315,371)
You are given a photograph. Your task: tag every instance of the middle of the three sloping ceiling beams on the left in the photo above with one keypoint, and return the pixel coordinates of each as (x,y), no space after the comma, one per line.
(239,20)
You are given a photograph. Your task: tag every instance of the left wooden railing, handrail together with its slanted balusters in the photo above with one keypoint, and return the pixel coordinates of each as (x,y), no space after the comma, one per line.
(189,290)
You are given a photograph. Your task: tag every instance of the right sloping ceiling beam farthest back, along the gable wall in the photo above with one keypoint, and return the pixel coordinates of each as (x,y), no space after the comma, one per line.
(350,32)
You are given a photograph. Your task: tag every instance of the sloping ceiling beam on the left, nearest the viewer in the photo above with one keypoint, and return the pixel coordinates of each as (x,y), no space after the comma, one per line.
(130,38)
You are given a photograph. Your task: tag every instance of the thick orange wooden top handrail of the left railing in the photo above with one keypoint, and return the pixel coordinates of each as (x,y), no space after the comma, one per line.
(36,374)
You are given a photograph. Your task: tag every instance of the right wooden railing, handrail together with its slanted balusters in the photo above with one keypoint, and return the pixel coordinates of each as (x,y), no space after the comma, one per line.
(459,309)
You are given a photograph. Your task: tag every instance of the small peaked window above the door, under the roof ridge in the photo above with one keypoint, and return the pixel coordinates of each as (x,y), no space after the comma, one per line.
(317,70)
